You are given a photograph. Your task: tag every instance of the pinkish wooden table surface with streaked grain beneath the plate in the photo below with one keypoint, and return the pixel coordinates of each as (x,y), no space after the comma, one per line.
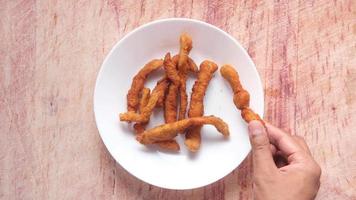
(51,52)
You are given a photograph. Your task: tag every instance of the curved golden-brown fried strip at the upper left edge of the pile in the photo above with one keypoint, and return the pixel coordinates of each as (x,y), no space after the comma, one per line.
(138,83)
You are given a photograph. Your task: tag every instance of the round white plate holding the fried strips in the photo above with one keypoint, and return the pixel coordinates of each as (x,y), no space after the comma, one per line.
(217,156)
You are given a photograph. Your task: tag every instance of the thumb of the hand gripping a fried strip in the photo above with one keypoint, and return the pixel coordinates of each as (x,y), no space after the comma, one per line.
(261,152)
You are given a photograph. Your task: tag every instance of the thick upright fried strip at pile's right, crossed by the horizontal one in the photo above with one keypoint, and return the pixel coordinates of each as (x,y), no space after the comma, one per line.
(196,109)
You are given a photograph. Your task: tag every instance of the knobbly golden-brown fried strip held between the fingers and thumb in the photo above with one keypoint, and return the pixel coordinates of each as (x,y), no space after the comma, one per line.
(241,96)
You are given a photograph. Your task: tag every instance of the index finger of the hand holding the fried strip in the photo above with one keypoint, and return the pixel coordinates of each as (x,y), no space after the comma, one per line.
(285,143)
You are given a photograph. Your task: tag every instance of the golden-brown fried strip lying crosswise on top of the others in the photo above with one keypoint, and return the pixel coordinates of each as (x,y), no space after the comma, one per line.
(169,131)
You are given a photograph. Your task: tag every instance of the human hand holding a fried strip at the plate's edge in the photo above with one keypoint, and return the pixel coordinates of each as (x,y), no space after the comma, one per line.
(298,179)
